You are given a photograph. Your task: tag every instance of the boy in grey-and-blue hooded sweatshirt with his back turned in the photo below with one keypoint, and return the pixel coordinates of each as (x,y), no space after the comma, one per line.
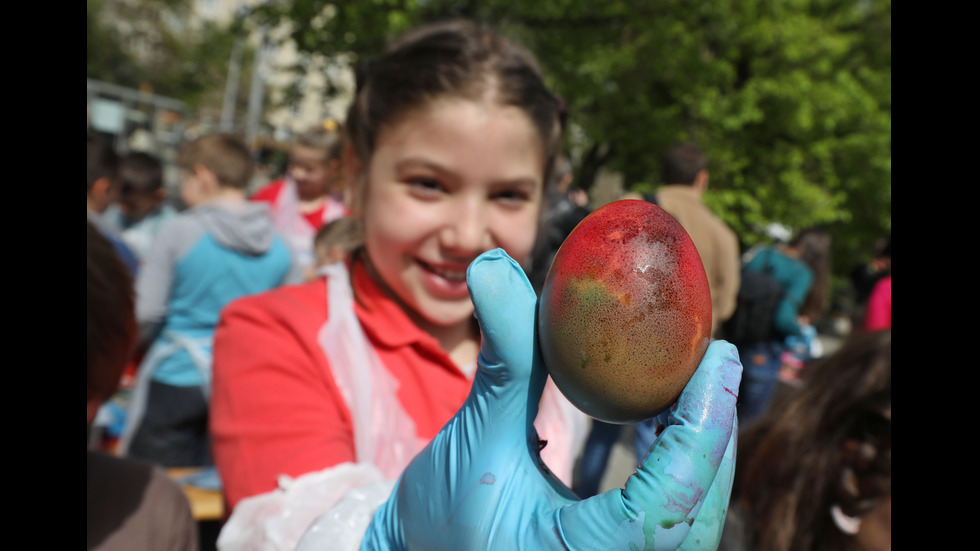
(221,248)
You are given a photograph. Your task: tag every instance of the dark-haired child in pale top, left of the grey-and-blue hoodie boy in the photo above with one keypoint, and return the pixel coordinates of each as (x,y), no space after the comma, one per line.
(141,206)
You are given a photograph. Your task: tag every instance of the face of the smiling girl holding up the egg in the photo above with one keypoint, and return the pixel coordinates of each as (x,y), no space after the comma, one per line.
(445,184)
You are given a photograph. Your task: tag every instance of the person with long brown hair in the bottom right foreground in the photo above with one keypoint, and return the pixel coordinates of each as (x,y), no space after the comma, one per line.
(814,471)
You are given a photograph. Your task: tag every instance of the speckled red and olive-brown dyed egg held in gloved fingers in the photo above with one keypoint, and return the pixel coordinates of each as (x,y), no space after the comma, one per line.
(625,313)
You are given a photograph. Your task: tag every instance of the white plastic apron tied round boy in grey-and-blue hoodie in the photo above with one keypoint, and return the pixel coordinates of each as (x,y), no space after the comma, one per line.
(169,343)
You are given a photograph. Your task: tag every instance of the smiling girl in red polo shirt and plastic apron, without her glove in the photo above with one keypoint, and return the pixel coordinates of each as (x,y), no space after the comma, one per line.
(451,137)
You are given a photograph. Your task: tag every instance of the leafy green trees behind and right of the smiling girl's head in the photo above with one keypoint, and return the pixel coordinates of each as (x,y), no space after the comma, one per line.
(791,99)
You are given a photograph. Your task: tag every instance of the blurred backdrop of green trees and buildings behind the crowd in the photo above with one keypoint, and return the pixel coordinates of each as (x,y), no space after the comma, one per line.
(791,100)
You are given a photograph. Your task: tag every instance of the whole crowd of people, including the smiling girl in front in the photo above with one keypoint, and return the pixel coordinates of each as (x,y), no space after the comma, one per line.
(352,346)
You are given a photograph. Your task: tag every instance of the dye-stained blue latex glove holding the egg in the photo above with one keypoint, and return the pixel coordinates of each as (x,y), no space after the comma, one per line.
(481,484)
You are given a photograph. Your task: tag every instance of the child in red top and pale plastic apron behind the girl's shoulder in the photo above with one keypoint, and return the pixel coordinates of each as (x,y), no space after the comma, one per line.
(311,193)
